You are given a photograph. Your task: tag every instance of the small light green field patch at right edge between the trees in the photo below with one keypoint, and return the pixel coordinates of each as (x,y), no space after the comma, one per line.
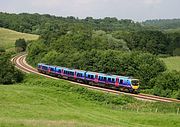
(172,63)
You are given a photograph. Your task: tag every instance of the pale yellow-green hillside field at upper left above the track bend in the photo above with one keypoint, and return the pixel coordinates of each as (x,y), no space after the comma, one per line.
(8,37)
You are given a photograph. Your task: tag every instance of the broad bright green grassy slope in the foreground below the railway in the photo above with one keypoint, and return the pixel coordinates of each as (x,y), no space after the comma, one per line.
(45,103)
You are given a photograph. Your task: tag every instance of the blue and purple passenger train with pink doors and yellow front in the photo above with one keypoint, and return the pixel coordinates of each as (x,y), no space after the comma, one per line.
(122,83)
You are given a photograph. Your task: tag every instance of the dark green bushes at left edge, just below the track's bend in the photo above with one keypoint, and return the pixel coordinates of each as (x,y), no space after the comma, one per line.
(8,73)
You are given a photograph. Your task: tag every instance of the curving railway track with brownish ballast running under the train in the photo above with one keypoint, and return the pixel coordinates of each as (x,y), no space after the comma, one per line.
(21,64)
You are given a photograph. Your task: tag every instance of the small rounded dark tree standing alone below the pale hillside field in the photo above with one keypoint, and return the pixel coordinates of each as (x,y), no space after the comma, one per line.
(20,45)
